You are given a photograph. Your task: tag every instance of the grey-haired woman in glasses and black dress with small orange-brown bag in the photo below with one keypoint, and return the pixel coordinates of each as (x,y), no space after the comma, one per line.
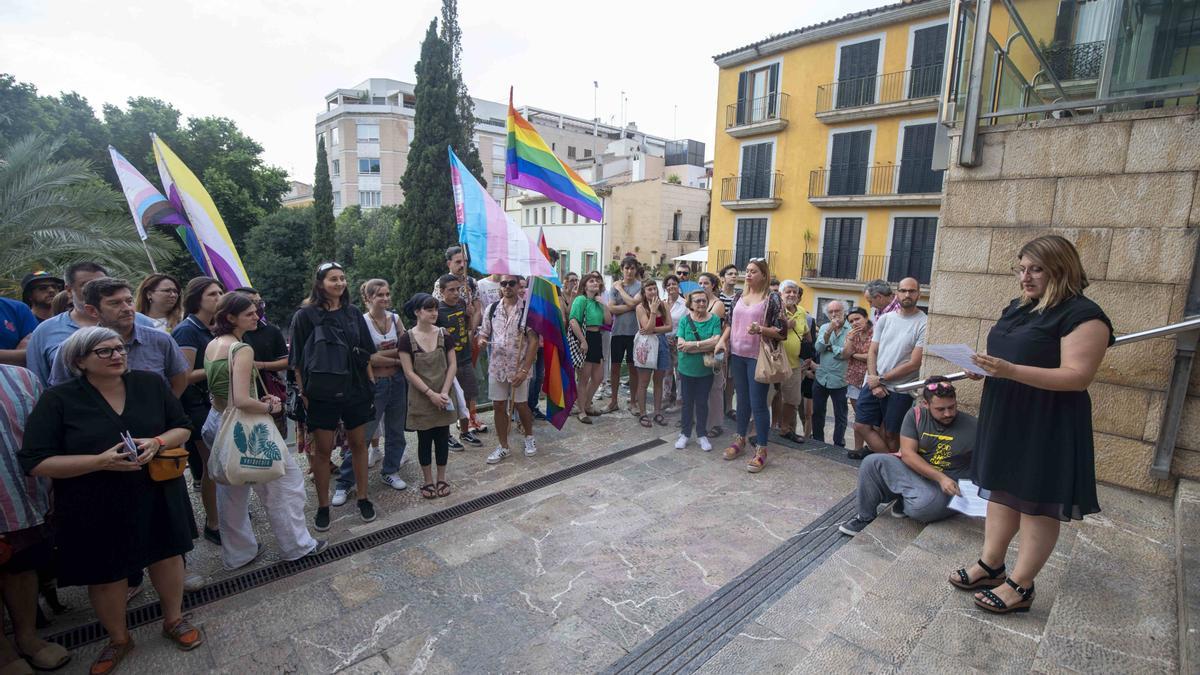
(112,519)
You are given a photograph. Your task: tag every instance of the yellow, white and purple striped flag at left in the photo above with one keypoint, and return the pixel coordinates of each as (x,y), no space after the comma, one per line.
(185,190)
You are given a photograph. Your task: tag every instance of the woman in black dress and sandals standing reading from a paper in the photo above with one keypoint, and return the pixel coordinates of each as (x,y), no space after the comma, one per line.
(1035,462)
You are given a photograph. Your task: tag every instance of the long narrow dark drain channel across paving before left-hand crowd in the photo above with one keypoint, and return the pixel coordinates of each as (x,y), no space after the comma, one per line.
(80,636)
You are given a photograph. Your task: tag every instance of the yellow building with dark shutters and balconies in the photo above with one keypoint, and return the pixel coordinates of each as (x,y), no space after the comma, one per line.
(825,152)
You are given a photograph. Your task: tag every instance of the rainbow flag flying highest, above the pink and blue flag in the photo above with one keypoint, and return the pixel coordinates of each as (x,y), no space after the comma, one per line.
(532,164)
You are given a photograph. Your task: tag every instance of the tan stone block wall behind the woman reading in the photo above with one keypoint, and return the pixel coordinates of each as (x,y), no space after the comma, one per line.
(1125,189)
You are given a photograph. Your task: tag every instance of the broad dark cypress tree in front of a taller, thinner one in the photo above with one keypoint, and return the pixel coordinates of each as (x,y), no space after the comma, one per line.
(428,218)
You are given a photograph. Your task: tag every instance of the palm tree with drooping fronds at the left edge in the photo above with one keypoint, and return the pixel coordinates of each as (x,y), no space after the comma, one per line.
(58,213)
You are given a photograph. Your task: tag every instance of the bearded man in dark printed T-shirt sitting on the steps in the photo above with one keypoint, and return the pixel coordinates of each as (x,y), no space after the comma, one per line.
(937,443)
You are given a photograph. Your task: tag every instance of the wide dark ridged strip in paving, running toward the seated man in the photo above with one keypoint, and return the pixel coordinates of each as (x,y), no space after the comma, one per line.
(691,641)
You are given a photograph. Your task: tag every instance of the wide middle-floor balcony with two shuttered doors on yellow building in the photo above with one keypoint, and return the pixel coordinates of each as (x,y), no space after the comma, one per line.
(907,184)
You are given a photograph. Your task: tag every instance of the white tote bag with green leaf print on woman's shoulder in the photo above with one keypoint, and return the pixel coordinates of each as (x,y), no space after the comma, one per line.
(248,449)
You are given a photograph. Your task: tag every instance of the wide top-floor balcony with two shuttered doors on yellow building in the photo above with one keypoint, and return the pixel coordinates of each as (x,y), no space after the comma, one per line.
(880,95)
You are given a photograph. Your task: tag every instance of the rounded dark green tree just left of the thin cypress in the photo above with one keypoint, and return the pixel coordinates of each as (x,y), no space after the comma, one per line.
(277,260)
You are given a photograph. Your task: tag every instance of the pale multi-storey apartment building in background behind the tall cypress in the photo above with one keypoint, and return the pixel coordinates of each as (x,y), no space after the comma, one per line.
(369,128)
